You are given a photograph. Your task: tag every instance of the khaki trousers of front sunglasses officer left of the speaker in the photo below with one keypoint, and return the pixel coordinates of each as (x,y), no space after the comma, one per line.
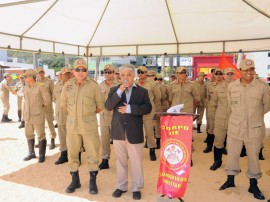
(91,144)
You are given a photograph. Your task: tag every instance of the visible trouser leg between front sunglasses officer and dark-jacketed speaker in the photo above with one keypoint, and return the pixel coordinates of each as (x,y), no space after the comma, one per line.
(105,137)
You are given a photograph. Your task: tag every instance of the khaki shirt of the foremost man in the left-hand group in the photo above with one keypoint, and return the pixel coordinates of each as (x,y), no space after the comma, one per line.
(36,99)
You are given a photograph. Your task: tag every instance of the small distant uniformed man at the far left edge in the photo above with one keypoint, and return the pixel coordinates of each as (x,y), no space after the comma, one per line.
(4,95)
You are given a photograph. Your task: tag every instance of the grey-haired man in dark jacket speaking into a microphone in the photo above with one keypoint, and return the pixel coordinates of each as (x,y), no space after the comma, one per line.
(129,103)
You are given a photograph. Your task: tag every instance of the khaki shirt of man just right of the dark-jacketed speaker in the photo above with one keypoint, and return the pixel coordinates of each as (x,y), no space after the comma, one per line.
(153,92)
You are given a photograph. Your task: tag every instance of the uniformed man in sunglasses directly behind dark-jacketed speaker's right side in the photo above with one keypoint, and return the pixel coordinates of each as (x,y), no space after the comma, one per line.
(148,123)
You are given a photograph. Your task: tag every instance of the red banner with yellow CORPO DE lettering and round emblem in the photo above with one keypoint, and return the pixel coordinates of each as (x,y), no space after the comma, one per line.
(175,155)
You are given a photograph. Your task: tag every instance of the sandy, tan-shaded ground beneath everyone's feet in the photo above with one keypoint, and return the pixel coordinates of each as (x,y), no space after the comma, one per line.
(31,181)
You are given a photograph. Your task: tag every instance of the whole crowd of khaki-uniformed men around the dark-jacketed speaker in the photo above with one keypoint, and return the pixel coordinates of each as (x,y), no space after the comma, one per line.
(234,112)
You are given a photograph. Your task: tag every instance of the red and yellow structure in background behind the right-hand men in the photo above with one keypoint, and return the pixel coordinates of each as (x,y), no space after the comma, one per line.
(206,63)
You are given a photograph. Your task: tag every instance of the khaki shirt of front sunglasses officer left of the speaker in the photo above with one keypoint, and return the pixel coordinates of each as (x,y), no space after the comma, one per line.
(81,103)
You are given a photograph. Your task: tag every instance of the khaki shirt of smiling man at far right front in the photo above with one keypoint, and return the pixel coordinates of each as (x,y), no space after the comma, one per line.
(247,105)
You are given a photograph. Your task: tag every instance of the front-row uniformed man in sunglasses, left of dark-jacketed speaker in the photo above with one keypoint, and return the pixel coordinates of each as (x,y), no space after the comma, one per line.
(81,98)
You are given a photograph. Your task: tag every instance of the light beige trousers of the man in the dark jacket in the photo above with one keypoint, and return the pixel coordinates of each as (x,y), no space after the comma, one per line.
(125,151)
